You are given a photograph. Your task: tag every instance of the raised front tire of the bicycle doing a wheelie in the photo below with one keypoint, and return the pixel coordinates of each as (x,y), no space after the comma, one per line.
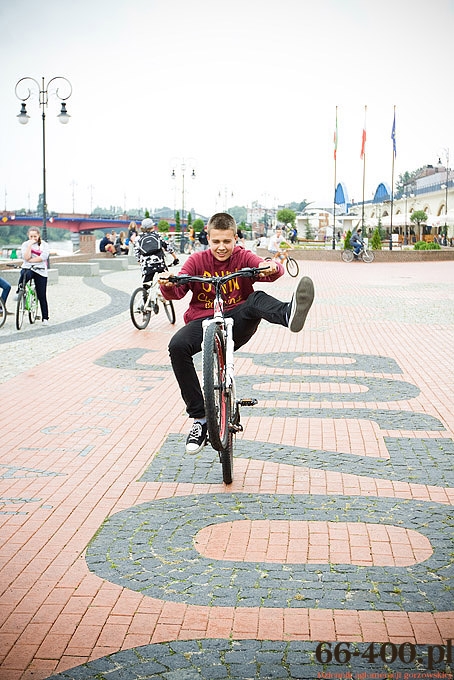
(217,407)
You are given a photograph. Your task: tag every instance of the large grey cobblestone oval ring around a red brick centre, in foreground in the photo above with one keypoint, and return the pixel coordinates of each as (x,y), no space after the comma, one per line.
(150,549)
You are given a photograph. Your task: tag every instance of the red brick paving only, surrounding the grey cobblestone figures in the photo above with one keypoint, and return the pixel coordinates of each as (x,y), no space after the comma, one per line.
(94,433)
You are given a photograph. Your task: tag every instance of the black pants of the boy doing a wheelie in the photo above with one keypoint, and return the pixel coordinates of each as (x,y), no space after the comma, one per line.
(188,341)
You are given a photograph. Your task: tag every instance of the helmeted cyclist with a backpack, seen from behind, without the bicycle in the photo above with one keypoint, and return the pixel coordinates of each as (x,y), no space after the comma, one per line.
(149,250)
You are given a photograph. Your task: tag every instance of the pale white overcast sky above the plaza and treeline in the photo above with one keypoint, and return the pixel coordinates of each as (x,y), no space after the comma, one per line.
(244,90)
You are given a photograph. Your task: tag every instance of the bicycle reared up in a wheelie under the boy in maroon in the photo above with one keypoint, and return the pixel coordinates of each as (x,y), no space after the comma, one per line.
(222,408)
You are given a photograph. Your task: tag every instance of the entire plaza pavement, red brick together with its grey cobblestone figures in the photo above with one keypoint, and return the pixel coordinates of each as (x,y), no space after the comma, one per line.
(124,558)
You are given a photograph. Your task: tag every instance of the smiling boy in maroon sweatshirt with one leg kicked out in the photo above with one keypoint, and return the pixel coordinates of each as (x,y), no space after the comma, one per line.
(246,306)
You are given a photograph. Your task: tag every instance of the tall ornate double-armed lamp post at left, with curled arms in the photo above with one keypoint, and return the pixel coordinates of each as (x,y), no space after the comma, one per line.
(26,86)
